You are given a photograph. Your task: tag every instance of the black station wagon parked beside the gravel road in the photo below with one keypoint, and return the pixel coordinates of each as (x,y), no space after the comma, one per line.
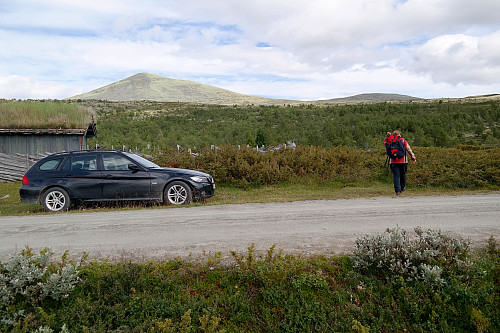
(58,180)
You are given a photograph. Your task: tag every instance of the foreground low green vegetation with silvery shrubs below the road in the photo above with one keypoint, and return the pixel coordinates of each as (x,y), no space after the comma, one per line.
(395,282)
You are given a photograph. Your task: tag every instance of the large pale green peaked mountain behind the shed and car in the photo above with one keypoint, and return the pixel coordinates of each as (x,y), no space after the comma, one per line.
(149,87)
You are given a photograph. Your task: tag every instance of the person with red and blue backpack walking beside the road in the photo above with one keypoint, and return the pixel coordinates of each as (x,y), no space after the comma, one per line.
(396,150)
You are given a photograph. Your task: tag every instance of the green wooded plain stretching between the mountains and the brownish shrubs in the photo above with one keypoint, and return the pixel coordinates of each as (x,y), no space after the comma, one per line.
(431,124)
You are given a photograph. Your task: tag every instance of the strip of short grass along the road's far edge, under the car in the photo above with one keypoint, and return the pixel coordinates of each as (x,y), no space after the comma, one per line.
(10,204)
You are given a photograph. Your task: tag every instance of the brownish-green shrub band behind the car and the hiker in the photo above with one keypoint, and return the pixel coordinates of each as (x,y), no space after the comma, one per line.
(470,167)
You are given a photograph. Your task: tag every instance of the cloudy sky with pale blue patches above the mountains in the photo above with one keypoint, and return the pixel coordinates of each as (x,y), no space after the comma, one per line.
(297,49)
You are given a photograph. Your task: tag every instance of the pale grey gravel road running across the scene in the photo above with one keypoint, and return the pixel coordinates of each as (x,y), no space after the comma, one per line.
(307,227)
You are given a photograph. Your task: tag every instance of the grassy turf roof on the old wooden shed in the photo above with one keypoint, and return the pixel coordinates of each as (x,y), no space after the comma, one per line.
(43,115)
